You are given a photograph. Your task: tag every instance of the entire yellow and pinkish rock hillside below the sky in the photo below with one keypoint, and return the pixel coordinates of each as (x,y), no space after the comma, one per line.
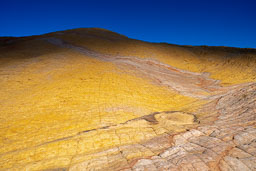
(91,99)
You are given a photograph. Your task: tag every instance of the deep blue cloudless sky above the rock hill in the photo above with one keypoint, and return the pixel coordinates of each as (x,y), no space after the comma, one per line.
(185,22)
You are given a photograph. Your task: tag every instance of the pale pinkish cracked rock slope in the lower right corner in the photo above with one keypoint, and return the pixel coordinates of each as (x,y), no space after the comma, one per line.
(229,143)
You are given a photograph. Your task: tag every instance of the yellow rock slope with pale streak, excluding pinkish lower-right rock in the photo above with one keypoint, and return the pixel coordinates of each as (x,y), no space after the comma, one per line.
(67,99)
